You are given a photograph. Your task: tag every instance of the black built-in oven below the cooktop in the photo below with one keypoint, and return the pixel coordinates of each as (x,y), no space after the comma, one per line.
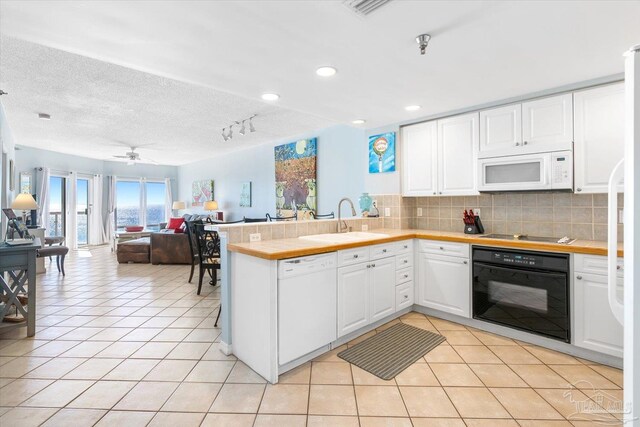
(522,289)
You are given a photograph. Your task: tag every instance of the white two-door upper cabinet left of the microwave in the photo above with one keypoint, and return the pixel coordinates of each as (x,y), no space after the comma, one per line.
(439,157)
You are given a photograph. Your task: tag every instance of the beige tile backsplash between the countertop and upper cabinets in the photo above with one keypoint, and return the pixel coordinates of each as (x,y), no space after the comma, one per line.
(552,214)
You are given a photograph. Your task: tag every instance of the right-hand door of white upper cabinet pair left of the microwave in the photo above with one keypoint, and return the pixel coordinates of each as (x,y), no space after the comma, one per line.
(457,155)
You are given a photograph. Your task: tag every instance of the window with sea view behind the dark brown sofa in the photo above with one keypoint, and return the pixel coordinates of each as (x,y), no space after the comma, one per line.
(140,202)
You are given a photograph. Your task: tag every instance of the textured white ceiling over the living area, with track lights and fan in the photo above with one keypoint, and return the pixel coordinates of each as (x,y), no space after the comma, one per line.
(99,109)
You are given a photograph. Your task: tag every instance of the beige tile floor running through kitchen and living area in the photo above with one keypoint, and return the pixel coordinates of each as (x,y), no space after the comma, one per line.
(134,345)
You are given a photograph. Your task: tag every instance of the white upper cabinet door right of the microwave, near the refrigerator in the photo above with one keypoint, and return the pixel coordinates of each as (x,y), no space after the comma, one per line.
(599,136)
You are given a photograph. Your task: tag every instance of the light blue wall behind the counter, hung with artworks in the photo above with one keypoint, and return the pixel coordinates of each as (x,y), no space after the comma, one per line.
(342,166)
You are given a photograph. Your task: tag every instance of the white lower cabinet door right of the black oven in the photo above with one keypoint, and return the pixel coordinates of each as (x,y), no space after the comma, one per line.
(595,326)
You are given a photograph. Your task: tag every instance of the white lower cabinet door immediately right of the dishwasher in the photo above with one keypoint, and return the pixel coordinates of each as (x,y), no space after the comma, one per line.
(353,298)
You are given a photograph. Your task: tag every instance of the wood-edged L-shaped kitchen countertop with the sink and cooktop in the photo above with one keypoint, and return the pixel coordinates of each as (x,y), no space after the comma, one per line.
(290,248)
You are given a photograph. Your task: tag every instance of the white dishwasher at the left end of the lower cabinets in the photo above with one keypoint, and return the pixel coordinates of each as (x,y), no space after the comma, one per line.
(307,289)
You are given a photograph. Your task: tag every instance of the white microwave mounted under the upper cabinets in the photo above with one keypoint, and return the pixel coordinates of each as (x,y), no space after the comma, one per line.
(537,171)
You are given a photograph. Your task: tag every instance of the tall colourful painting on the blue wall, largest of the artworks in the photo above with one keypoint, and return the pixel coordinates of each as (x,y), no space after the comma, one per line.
(296,178)
